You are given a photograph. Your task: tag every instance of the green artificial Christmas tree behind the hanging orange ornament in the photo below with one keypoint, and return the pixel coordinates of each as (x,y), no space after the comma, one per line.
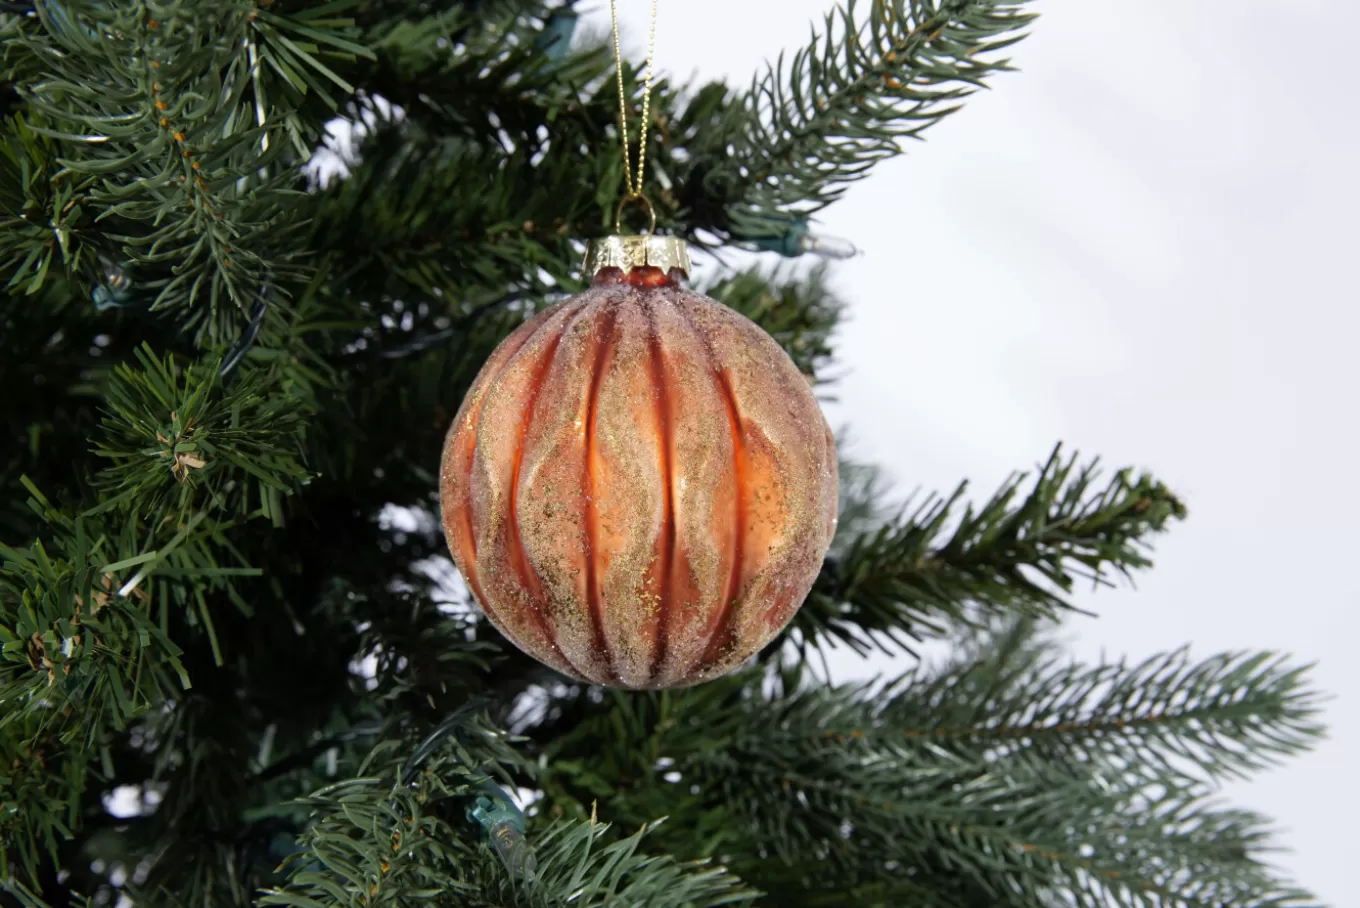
(239,667)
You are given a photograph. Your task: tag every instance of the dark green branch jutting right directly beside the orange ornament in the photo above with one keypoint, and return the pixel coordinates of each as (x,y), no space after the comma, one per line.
(915,578)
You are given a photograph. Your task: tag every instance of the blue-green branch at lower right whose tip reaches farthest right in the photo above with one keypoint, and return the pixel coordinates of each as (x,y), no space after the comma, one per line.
(1223,717)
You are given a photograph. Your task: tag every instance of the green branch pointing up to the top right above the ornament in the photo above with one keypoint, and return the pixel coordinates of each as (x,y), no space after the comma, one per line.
(848,100)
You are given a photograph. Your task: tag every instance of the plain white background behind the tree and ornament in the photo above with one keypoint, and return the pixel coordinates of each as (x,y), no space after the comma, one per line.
(1142,245)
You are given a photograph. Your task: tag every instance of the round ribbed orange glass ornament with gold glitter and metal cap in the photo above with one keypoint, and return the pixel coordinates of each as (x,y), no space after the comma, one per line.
(640,487)
